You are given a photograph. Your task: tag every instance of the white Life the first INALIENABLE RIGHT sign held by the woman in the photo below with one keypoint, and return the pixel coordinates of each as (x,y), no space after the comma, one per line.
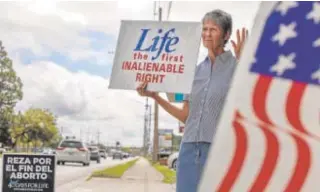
(162,53)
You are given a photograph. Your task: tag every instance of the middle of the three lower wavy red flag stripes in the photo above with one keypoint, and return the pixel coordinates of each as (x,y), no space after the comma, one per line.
(269,162)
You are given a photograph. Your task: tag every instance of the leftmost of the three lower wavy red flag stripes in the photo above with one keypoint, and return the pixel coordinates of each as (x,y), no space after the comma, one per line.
(239,155)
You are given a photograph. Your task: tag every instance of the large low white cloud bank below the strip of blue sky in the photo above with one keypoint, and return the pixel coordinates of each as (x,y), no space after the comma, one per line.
(82,100)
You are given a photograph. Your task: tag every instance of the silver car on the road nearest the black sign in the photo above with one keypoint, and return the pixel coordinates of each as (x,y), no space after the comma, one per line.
(73,151)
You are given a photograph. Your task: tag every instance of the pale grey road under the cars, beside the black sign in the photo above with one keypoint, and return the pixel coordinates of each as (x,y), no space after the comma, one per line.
(71,172)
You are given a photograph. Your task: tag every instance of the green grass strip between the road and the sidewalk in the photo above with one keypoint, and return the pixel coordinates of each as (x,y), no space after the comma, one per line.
(113,172)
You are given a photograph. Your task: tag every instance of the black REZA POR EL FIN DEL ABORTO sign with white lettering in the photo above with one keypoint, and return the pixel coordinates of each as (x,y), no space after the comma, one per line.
(28,172)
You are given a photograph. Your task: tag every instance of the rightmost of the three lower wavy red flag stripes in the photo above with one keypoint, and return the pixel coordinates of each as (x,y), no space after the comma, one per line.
(302,165)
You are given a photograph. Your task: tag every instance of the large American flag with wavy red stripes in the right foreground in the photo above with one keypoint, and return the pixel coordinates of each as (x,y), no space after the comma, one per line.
(269,135)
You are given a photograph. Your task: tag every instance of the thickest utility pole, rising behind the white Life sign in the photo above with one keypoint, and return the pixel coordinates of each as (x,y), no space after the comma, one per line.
(156,115)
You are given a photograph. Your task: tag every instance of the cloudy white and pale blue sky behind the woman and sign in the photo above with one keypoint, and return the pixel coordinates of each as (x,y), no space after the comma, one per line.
(63,52)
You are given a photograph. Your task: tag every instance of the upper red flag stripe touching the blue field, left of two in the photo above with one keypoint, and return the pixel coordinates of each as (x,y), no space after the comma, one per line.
(259,100)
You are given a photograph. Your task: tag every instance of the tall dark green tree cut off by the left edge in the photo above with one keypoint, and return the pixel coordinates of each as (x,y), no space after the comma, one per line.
(10,94)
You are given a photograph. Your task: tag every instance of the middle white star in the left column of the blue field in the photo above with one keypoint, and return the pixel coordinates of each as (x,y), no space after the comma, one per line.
(285,32)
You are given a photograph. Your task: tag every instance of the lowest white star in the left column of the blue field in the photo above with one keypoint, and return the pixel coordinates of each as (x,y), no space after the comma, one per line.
(284,63)
